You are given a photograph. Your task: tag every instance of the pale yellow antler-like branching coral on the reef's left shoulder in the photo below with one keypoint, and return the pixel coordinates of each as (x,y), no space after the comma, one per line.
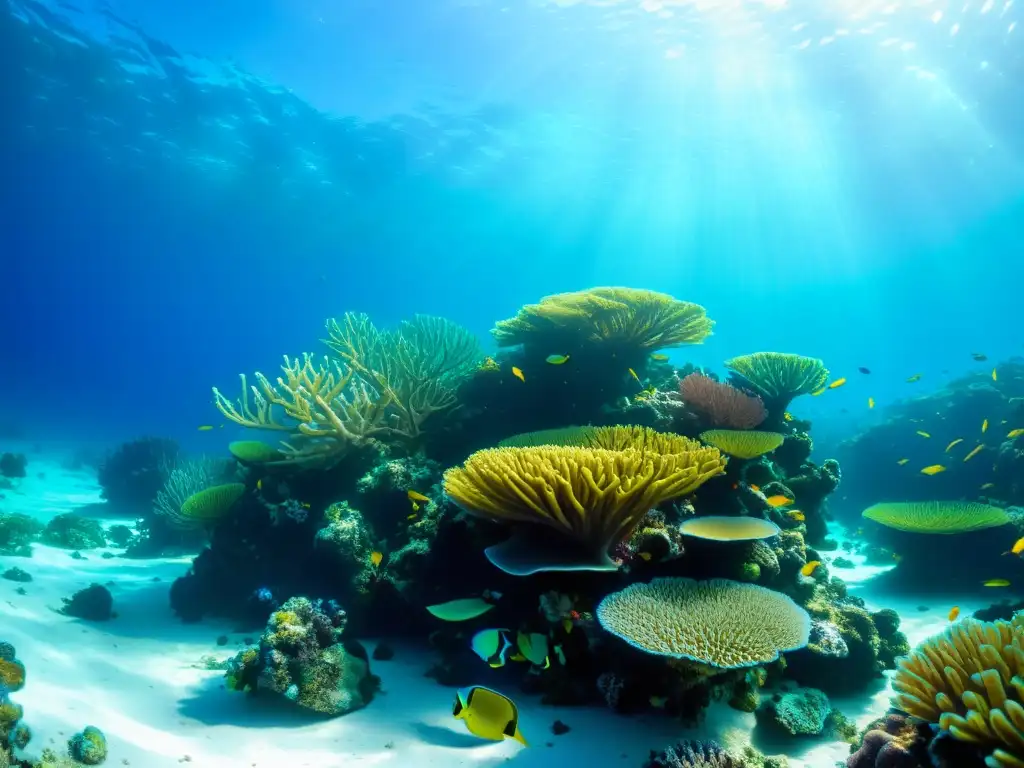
(327,412)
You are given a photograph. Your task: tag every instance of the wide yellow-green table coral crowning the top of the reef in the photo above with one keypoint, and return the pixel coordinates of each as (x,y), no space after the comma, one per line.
(623,318)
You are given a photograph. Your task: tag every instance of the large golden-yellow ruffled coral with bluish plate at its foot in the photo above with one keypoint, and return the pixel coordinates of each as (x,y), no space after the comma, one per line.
(592,498)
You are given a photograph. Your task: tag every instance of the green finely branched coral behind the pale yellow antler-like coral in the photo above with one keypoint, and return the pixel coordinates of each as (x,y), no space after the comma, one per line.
(417,369)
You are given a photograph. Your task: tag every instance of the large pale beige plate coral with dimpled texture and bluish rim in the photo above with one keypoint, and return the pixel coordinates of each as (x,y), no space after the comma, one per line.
(717,623)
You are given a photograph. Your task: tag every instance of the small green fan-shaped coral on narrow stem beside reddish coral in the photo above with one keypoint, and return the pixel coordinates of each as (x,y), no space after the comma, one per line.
(779,377)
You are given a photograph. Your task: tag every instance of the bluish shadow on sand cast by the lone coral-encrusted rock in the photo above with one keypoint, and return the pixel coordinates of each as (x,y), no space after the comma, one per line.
(212,704)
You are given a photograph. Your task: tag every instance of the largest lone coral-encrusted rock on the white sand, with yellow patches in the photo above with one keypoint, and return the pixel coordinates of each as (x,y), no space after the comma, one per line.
(304,658)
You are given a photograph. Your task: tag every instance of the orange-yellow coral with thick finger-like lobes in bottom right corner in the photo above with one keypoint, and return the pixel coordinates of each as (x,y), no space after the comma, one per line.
(970,681)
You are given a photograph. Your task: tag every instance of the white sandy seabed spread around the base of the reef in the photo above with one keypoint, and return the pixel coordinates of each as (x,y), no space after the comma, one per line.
(137,678)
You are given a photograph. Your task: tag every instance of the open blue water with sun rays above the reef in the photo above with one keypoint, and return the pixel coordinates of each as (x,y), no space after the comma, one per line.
(189,193)
